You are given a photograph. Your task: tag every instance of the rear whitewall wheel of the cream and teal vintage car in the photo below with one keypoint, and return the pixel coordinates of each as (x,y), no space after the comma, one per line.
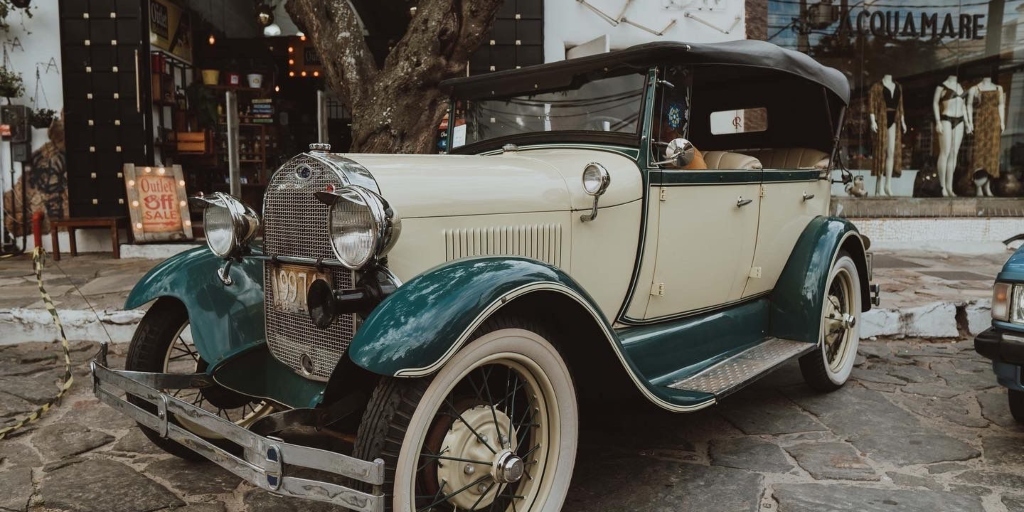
(828,368)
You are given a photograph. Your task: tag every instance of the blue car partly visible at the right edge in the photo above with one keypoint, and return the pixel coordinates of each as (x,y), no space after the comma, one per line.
(1004,343)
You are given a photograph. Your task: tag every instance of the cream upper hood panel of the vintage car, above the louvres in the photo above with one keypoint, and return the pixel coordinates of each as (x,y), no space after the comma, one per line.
(436,186)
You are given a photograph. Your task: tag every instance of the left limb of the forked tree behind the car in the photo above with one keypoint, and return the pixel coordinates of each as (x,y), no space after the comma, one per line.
(334,29)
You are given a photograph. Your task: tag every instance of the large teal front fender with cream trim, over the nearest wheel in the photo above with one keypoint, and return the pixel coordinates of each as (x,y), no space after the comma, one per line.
(419,327)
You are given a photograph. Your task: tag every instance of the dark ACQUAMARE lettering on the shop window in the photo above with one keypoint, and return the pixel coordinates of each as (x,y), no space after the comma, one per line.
(922,25)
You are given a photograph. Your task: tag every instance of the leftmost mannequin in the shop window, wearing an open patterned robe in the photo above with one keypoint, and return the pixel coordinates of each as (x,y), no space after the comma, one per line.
(886,104)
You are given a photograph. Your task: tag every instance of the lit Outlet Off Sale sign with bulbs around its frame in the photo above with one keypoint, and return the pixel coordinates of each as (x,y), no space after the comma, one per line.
(158,203)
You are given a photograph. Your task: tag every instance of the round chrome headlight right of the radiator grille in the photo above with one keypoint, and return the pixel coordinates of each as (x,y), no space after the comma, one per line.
(362,225)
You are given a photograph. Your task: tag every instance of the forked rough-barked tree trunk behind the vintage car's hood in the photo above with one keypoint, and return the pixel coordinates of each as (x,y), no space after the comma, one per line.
(397,108)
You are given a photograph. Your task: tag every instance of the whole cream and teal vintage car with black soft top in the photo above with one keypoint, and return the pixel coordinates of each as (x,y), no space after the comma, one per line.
(652,223)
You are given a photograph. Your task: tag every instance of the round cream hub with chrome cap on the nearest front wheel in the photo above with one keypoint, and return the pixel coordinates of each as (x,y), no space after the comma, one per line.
(481,442)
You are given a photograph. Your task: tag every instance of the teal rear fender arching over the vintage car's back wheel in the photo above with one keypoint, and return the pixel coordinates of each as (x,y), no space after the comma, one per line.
(799,295)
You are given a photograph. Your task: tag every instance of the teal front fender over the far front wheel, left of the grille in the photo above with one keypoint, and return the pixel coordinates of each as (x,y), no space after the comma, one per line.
(225,320)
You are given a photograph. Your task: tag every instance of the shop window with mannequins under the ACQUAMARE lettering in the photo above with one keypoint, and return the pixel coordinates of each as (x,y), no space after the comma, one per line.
(937,105)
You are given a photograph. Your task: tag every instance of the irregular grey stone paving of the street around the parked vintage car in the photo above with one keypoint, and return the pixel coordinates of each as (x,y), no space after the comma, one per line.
(921,426)
